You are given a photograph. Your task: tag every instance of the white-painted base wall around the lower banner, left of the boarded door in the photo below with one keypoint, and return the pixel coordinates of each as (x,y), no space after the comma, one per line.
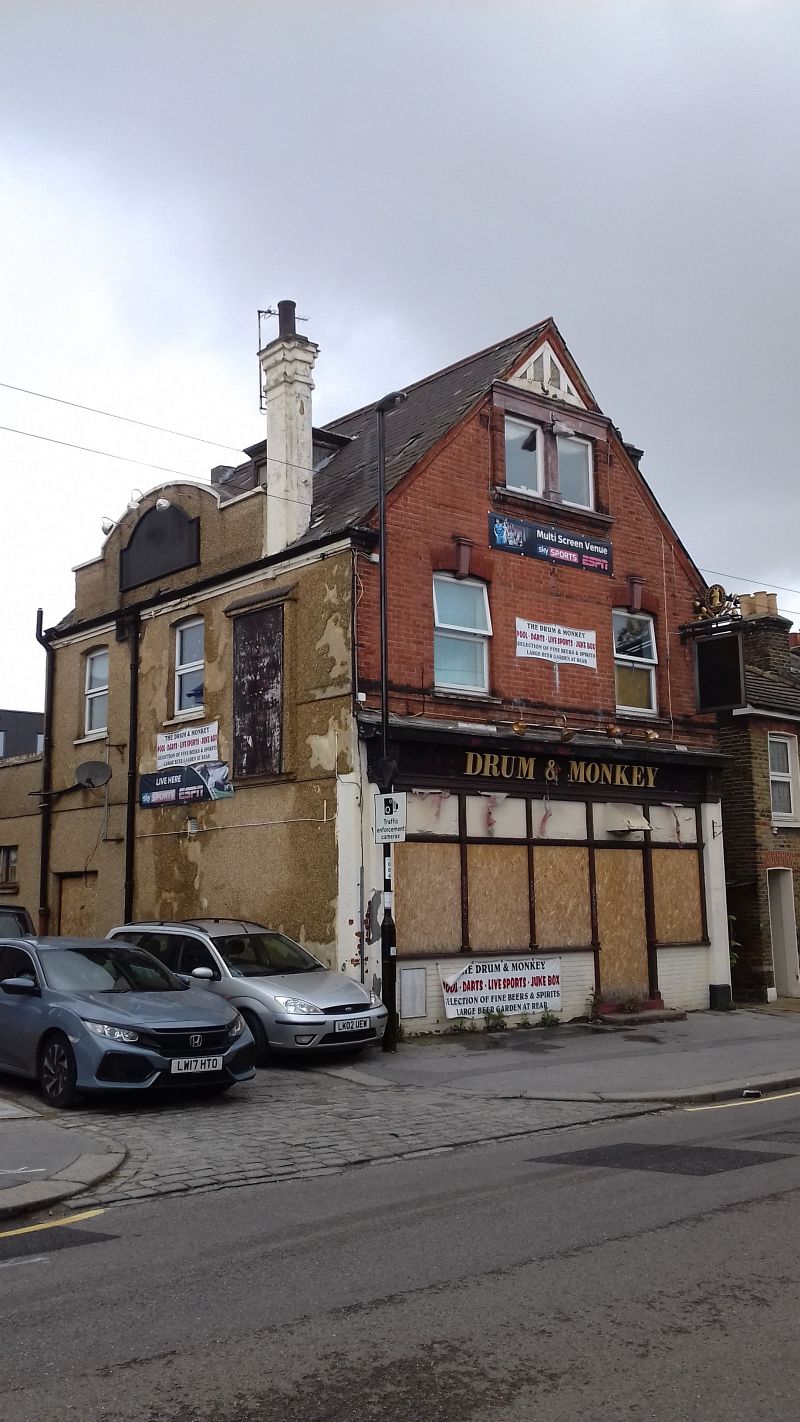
(423,1007)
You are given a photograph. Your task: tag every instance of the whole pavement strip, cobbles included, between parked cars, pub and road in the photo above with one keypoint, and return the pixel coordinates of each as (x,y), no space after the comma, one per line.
(308,1120)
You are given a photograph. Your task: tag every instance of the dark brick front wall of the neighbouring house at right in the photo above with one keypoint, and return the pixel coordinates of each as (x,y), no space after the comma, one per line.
(752,847)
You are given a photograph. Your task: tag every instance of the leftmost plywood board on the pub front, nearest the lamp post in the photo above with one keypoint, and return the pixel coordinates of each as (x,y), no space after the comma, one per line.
(428,912)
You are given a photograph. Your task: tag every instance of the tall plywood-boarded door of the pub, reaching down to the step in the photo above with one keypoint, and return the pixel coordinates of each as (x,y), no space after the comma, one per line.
(622,921)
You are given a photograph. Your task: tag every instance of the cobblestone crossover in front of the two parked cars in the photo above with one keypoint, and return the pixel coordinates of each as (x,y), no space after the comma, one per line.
(295,1124)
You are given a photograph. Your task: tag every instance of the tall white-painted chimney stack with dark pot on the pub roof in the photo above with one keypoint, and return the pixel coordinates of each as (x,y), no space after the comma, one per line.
(288,365)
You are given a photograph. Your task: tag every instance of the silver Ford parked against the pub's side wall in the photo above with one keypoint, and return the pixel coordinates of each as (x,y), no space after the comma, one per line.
(288,998)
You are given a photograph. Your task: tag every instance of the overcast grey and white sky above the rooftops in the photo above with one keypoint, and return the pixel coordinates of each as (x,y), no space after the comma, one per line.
(423,180)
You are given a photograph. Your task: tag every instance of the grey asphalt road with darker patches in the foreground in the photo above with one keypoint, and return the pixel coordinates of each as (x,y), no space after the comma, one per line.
(627,1271)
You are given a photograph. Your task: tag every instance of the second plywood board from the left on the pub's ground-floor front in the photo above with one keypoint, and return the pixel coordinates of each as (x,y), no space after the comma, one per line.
(499,908)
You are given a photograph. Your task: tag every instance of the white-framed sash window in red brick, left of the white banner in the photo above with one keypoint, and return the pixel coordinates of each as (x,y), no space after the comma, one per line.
(463,628)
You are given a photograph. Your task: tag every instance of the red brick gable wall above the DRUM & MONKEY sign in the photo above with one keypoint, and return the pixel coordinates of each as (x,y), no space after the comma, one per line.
(448,497)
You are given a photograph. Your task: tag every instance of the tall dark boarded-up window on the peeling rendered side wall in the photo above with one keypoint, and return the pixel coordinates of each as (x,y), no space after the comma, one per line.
(258,693)
